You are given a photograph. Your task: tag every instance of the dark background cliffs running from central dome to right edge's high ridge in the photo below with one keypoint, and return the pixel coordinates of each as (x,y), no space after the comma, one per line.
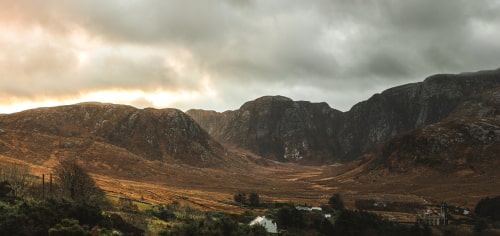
(282,129)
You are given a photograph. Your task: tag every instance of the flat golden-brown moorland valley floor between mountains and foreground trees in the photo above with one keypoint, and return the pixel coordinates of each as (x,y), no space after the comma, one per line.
(213,188)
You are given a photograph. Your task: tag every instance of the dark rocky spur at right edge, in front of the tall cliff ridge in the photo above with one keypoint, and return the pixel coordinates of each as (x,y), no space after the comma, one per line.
(468,140)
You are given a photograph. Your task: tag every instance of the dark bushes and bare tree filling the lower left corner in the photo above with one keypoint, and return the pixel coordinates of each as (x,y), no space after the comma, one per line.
(72,206)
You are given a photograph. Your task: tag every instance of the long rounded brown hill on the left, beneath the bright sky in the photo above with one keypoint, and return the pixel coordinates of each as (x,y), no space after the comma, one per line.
(165,134)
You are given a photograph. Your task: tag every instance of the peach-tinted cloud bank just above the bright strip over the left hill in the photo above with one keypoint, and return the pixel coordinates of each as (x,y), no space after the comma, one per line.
(46,69)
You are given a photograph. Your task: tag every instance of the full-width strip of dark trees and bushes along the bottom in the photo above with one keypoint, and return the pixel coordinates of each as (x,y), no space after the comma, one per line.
(74,205)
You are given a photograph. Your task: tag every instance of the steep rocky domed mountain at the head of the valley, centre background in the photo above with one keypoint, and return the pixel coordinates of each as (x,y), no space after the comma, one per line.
(277,128)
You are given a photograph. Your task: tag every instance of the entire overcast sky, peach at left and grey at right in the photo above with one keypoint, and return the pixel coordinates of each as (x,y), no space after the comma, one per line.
(219,54)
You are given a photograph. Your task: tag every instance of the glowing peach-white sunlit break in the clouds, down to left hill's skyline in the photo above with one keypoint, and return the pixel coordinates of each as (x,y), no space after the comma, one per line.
(82,68)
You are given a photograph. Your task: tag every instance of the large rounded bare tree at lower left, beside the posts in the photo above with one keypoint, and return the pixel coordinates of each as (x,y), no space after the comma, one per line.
(77,184)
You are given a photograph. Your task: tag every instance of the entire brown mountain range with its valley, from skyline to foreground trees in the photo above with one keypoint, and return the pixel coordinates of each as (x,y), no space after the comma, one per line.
(447,126)
